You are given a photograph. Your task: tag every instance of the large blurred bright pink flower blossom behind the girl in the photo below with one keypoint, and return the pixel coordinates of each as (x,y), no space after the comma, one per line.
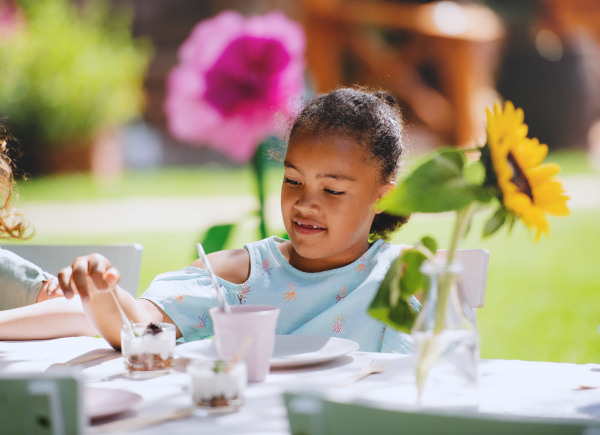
(234,74)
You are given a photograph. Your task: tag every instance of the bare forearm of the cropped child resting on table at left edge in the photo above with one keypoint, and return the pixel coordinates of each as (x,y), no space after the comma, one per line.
(53,318)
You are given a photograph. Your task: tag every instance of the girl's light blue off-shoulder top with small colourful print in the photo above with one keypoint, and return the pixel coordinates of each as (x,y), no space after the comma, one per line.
(335,301)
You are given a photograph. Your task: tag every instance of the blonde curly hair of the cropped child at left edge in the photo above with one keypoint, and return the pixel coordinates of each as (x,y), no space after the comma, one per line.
(12,223)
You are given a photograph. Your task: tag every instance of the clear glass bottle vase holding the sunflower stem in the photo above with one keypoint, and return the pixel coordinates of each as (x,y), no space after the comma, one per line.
(446,342)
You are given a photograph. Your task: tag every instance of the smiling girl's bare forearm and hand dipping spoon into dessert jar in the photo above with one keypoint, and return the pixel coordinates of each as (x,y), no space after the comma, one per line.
(91,277)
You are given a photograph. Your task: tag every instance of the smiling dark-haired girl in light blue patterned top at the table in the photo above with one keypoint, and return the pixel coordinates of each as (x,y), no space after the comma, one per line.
(343,155)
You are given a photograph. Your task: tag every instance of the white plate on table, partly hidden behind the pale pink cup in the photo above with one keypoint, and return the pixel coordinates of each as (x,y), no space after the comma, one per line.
(290,350)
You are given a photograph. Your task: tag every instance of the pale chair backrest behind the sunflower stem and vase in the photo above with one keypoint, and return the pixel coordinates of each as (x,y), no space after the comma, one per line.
(473,280)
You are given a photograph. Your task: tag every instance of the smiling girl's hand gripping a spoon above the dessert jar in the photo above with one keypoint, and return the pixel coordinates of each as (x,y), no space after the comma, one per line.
(87,276)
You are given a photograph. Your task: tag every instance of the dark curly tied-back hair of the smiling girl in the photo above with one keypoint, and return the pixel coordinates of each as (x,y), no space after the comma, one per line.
(372,119)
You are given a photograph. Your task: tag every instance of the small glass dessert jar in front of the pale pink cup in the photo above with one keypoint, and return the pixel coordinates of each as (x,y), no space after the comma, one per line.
(217,385)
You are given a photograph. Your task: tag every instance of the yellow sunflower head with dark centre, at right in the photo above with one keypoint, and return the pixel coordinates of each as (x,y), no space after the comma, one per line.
(529,189)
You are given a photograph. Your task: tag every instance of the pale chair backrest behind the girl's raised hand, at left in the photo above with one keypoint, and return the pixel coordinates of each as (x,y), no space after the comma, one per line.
(126,257)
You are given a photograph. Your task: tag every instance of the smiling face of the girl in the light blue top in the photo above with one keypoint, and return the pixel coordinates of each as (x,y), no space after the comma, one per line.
(327,201)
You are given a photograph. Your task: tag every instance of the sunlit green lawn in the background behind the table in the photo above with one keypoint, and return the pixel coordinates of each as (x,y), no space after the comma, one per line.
(541,300)
